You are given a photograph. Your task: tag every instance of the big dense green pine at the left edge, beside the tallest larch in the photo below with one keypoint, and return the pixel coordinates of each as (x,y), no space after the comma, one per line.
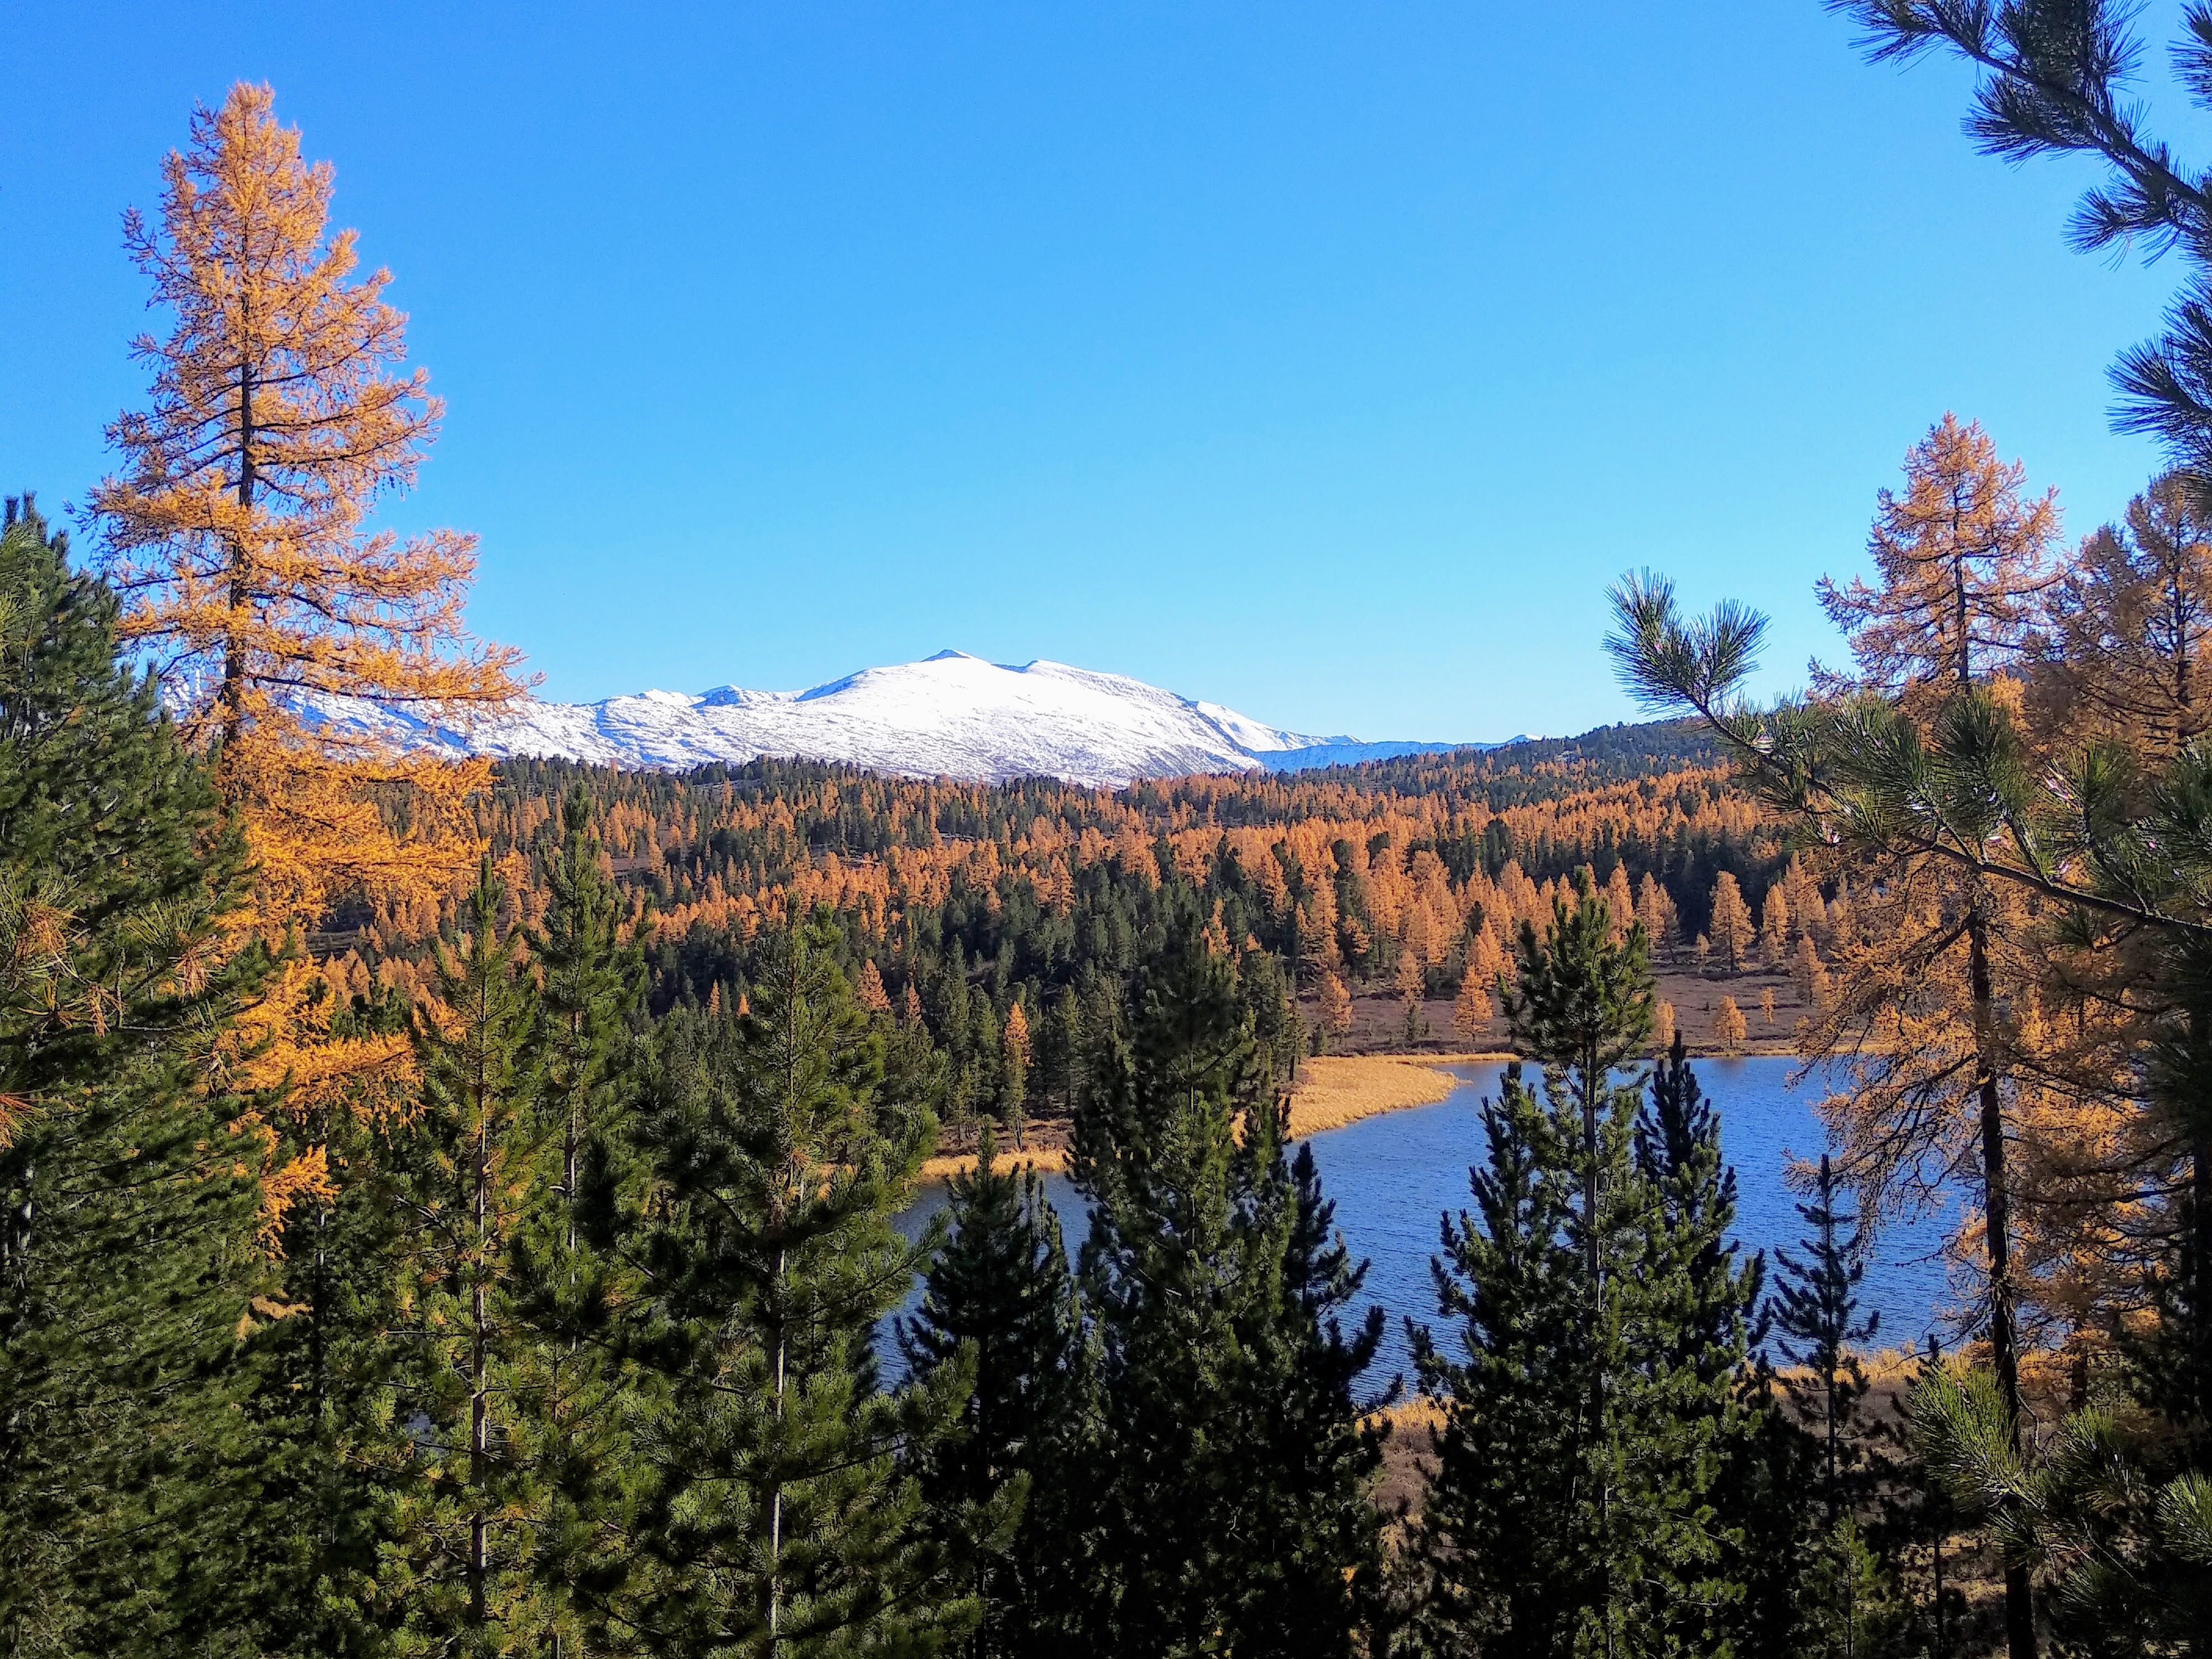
(129,1275)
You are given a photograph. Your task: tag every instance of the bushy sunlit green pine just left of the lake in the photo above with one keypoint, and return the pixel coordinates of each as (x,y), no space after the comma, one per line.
(782,1521)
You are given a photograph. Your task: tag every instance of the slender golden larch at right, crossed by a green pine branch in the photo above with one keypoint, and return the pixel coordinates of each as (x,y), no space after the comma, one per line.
(1928,954)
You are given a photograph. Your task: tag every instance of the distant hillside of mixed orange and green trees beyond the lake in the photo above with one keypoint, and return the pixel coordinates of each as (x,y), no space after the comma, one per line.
(1401,881)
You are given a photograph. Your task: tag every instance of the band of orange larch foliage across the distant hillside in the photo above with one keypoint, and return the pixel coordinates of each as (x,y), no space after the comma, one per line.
(1410,897)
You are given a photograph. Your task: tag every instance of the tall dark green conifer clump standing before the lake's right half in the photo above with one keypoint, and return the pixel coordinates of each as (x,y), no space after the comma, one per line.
(1583,1452)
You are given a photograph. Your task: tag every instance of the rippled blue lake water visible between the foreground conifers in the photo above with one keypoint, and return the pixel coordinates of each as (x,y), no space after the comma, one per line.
(1395,1176)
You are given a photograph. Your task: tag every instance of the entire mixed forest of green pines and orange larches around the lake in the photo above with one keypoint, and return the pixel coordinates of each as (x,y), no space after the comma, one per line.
(452,1207)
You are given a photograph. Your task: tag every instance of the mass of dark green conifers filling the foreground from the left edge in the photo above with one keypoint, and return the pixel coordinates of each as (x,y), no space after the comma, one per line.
(565,1335)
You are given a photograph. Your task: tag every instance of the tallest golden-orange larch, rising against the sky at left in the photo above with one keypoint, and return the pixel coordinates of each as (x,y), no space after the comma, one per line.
(236,534)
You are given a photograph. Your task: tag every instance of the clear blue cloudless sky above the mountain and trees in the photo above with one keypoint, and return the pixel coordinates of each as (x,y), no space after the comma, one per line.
(1317,359)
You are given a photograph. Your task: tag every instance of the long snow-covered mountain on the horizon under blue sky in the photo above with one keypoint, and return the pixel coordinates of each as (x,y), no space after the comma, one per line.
(952,716)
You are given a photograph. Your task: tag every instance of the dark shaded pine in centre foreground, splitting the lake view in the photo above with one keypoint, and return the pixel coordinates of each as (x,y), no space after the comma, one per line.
(1224,1483)
